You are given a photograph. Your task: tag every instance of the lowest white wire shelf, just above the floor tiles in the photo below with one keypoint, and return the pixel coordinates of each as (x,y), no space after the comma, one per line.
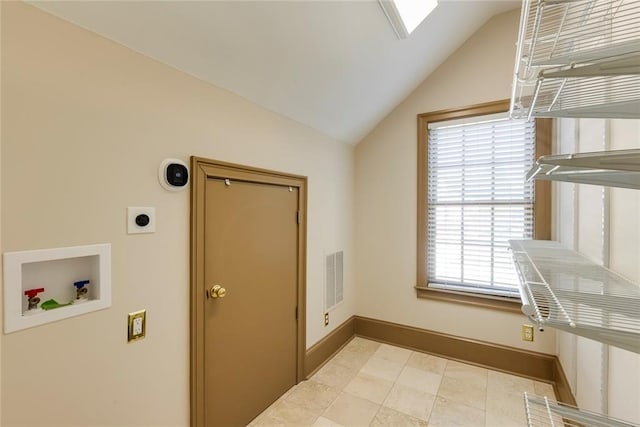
(544,412)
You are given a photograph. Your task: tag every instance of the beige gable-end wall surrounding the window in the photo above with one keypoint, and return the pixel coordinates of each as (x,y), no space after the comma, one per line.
(479,71)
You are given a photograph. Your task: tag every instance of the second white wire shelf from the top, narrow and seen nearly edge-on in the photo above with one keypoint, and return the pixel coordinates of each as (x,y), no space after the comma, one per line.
(618,168)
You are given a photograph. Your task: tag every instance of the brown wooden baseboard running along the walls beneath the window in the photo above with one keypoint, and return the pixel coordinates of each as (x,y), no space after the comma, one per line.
(537,366)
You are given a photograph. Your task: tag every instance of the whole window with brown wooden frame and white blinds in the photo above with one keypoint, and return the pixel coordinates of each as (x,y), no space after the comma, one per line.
(473,197)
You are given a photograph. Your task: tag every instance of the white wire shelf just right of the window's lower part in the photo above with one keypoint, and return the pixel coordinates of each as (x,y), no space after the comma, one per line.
(562,289)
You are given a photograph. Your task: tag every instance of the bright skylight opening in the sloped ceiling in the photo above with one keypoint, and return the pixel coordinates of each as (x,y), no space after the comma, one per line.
(406,15)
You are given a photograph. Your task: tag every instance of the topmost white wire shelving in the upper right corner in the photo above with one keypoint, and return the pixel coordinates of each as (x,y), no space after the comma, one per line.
(578,58)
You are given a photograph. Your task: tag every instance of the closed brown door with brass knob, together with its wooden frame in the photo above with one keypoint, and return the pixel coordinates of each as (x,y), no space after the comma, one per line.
(250,323)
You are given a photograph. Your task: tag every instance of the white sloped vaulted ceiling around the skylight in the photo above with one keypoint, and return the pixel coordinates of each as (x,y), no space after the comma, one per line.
(336,66)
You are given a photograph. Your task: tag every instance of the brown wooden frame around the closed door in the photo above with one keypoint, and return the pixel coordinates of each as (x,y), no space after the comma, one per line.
(203,169)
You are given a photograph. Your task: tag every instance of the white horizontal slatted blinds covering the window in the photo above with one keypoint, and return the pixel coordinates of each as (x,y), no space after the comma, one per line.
(478,199)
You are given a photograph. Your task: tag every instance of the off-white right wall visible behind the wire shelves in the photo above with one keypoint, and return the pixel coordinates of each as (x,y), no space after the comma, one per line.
(601,377)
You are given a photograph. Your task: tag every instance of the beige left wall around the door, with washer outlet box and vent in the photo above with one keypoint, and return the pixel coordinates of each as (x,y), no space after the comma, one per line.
(86,123)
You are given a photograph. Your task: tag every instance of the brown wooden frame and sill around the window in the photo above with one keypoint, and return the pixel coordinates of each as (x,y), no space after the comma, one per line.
(541,207)
